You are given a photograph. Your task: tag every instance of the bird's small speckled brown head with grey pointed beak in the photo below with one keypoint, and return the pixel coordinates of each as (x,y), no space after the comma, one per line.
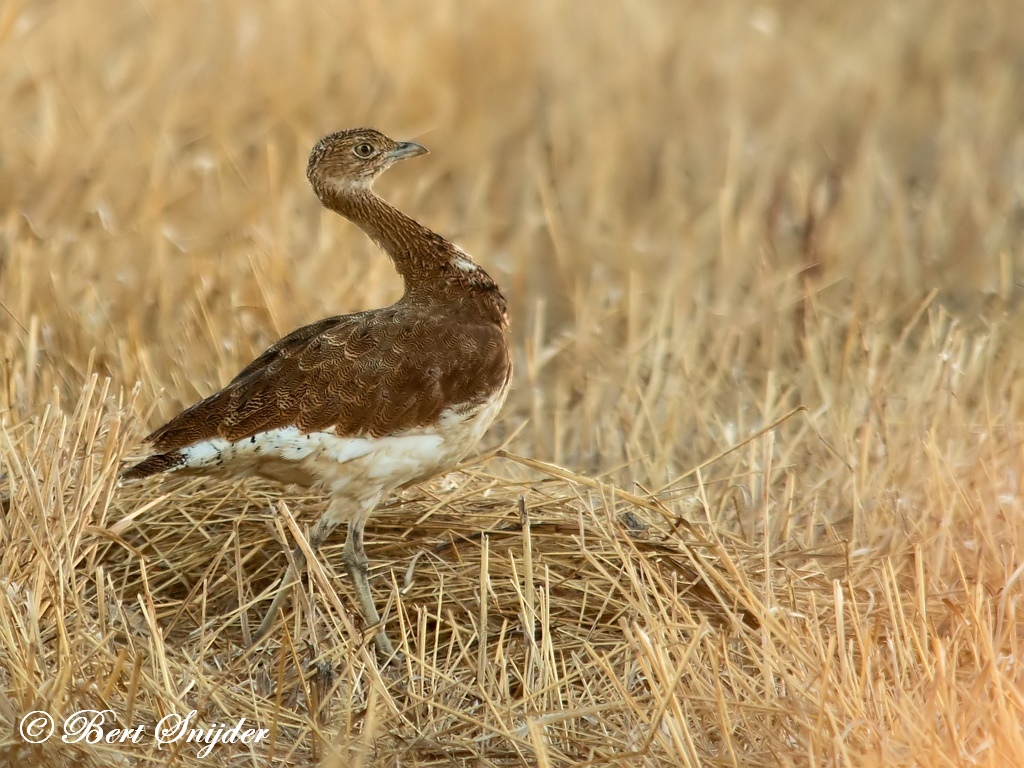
(351,160)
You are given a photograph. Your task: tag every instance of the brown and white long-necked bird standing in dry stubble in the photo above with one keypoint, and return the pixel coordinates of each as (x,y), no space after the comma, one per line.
(359,406)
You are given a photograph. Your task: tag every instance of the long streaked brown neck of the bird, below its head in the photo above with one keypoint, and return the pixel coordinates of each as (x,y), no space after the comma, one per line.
(432,268)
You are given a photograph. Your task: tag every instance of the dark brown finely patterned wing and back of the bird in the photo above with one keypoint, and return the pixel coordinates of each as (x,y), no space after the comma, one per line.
(370,374)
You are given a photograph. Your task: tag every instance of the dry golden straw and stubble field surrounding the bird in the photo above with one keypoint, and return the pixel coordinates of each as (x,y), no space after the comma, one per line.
(765,269)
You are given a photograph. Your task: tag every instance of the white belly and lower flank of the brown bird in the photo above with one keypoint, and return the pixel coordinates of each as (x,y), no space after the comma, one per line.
(356,467)
